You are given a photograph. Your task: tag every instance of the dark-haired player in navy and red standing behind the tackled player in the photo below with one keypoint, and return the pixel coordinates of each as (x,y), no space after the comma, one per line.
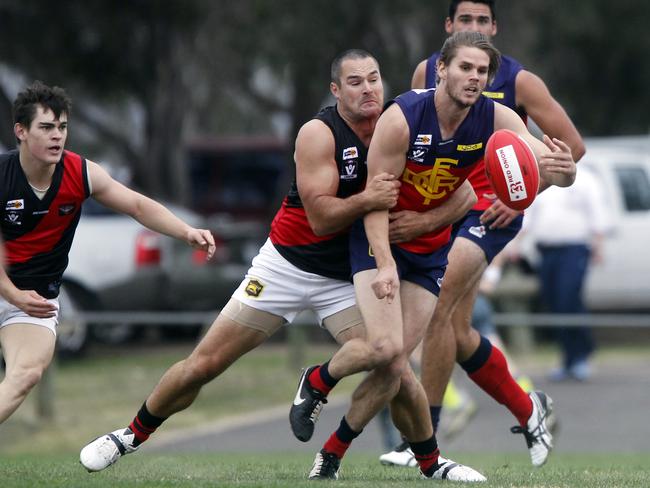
(484,231)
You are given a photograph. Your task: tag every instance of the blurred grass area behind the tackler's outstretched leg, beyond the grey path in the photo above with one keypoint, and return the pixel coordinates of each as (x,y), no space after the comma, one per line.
(103,391)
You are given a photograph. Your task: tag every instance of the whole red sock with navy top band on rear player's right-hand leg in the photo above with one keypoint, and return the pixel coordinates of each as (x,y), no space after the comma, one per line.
(488,368)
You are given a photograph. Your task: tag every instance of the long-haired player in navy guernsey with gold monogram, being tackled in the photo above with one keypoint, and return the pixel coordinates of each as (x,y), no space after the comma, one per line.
(433,139)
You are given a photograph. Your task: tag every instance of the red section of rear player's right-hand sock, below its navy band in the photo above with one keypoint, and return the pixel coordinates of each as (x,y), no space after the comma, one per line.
(495,379)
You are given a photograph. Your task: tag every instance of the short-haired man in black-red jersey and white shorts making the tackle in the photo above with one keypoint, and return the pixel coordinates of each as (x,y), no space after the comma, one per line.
(304,264)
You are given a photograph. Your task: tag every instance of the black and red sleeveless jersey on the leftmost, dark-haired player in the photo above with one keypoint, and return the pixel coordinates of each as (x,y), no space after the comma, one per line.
(38,233)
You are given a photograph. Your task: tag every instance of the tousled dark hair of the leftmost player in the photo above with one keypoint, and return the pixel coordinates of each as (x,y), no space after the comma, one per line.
(38,93)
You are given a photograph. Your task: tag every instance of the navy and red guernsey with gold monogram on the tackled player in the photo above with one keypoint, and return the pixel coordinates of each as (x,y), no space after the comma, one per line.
(436,167)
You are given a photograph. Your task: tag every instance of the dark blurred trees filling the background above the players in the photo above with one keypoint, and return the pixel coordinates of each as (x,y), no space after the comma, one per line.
(147,76)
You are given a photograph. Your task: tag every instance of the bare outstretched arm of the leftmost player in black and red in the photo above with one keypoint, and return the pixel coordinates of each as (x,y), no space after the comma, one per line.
(148,212)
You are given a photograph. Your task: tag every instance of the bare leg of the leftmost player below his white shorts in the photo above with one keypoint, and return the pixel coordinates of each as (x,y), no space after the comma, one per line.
(28,350)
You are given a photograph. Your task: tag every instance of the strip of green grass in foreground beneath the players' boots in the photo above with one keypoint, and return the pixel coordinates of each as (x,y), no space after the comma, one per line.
(290,470)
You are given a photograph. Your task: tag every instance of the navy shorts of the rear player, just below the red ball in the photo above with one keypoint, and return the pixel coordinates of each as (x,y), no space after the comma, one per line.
(491,241)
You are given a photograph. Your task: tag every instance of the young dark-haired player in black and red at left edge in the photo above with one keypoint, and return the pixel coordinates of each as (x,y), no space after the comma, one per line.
(43,188)
